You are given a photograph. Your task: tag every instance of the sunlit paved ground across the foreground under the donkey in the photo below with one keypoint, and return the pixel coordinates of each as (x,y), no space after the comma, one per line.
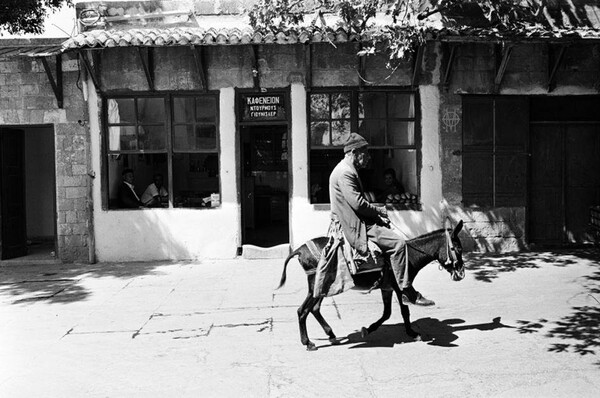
(517,326)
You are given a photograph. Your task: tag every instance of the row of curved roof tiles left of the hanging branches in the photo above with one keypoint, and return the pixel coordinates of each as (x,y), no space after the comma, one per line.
(185,36)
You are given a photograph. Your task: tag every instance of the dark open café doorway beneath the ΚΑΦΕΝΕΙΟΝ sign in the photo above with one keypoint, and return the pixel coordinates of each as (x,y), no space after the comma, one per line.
(265,186)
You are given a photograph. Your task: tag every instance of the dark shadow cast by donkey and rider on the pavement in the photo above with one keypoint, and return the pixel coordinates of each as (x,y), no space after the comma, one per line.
(432,330)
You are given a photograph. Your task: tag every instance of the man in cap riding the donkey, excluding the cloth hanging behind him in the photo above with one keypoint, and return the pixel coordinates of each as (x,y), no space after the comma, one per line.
(360,221)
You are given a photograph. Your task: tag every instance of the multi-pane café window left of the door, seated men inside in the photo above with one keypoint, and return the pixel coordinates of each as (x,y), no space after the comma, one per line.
(170,145)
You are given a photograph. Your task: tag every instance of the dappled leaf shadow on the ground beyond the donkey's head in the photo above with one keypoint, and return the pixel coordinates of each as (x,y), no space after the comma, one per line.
(487,267)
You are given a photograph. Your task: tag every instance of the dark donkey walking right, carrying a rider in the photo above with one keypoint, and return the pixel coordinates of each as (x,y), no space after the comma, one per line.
(442,245)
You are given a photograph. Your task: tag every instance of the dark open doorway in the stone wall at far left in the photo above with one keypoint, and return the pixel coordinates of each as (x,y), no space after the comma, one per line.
(28,187)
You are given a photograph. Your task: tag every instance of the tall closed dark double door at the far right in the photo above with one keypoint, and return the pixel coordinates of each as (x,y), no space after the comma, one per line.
(565,160)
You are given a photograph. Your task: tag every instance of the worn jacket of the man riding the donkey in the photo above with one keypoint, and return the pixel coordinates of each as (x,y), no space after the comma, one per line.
(349,205)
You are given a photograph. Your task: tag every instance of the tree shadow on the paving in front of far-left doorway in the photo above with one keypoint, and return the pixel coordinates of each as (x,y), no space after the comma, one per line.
(63,283)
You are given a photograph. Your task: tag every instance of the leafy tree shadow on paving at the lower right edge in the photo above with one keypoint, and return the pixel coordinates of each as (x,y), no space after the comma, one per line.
(580,330)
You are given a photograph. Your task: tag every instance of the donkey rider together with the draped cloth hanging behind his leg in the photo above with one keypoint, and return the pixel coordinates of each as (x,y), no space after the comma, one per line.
(359,231)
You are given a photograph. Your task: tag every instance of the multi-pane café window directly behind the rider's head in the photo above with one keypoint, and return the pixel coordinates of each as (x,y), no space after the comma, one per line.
(387,119)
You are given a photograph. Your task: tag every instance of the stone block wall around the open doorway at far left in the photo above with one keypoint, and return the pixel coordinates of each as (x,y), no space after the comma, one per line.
(26,98)
